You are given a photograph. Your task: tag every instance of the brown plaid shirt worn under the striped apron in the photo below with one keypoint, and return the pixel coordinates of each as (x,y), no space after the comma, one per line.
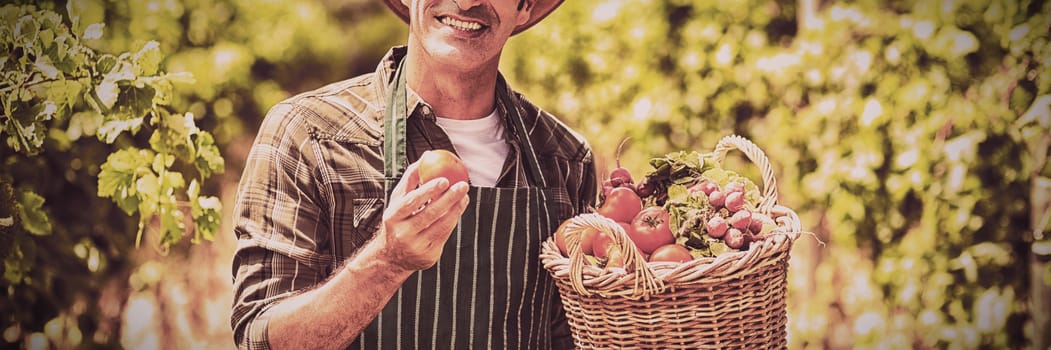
(313,189)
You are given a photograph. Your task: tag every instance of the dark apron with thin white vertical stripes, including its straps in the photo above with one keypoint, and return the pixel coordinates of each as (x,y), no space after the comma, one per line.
(488,291)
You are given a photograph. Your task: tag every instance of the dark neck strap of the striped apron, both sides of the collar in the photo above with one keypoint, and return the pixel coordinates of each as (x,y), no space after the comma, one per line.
(398,114)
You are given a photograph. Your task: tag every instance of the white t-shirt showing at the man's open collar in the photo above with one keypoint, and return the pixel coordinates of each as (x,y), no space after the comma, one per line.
(481,145)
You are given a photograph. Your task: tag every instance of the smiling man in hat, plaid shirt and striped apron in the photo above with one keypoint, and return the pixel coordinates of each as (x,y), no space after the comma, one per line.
(341,245)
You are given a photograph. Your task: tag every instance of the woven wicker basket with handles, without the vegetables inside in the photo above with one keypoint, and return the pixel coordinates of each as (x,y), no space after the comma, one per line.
(734,301)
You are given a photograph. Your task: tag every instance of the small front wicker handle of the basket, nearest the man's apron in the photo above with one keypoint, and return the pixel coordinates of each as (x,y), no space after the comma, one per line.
(646,282)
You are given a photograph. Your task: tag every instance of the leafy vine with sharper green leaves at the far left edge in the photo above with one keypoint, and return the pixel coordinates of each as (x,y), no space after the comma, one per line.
(86,130)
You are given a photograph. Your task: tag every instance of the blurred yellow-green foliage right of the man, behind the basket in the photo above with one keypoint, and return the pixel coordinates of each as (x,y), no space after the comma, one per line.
(895,128)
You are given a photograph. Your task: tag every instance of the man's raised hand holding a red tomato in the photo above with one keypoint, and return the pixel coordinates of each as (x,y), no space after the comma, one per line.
(419,220)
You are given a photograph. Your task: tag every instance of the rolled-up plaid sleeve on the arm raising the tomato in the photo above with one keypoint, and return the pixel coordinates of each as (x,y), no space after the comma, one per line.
(279,225)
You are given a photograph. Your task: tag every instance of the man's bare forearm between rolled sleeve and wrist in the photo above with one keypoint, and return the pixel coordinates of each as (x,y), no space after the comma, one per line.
(335,314)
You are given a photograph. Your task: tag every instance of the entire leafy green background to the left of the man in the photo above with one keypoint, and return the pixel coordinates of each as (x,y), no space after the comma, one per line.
(100,292)
